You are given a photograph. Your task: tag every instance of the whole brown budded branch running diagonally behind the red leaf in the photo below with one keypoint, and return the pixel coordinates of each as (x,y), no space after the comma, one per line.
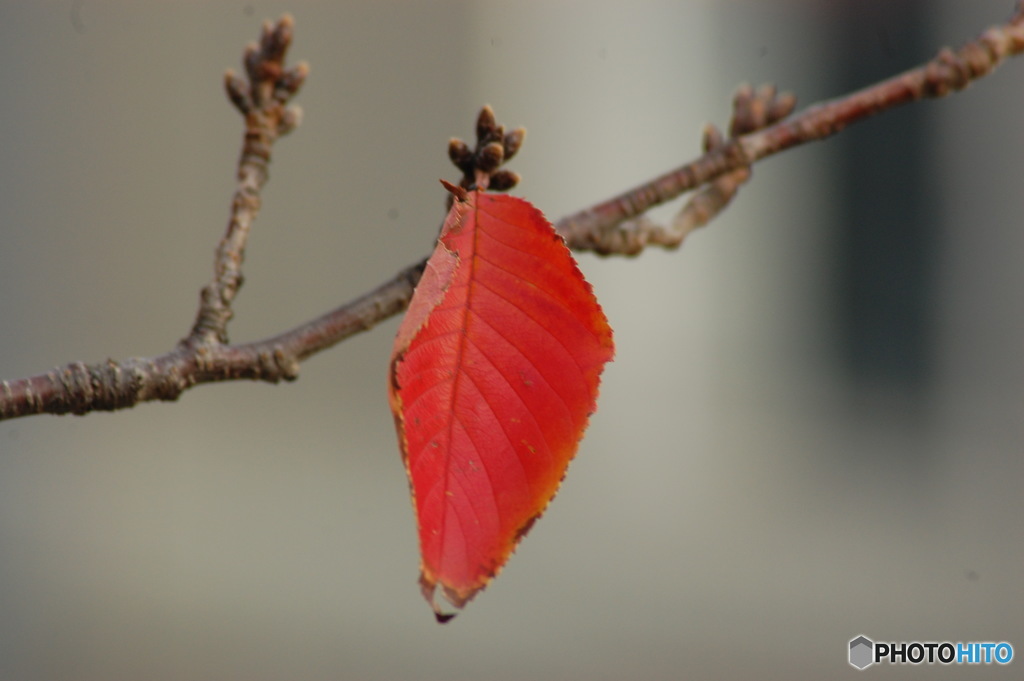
(609,228)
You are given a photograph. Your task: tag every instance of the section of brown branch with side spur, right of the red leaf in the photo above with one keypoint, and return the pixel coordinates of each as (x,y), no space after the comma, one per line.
(764,125)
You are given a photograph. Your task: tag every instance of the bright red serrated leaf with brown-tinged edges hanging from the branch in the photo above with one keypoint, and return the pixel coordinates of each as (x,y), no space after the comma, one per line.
(494,375)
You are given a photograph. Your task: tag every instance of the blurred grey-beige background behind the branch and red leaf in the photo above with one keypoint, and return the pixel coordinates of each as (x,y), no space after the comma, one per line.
(813,430)
